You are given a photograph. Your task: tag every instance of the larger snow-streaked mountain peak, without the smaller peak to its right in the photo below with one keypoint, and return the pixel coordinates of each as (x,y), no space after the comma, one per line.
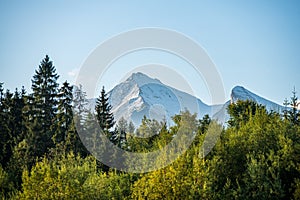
(141,95)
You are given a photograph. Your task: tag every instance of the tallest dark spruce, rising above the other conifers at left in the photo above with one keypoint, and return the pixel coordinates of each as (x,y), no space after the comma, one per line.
(44,106)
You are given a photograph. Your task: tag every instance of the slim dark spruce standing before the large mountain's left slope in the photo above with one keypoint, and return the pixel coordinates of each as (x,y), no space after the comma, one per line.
(103,113)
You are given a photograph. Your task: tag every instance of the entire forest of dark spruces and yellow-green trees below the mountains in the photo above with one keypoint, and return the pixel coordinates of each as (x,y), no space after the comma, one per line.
(42,156)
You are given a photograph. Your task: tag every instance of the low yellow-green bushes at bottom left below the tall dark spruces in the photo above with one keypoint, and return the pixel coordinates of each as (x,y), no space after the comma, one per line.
(72,178)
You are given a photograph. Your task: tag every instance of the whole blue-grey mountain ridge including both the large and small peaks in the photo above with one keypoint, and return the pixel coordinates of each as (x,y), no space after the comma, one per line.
(139,96)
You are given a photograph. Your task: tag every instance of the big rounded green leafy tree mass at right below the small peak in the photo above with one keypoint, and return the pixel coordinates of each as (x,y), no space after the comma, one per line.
(258,160)
